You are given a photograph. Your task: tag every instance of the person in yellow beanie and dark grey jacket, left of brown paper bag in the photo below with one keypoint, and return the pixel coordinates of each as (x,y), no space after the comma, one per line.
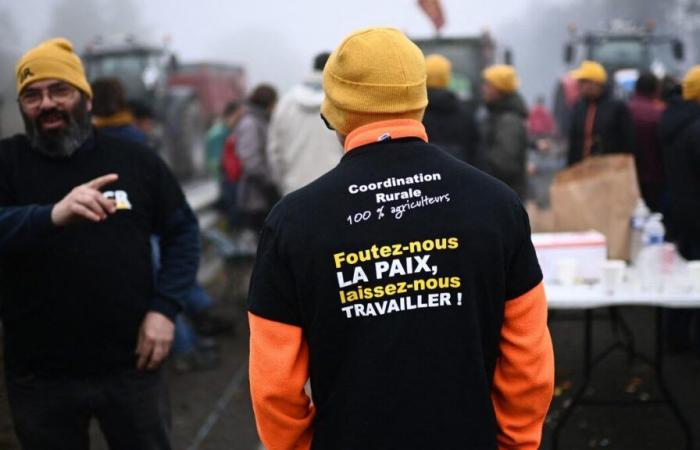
(503,132)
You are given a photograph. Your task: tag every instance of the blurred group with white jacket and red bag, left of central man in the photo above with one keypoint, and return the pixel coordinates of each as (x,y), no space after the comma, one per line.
(263,149)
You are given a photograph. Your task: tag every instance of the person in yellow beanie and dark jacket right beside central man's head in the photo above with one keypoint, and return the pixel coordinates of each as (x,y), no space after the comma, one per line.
(448,122)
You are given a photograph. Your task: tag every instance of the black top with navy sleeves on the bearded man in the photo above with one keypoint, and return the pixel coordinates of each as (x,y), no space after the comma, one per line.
(74,297)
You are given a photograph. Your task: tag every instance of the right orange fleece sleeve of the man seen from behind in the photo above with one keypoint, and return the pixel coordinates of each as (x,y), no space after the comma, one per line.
(523,381)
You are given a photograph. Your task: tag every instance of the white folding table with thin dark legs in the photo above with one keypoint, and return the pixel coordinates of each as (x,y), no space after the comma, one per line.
(590,297)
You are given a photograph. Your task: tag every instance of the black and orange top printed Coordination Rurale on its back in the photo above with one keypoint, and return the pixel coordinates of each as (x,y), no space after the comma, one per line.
(405,286)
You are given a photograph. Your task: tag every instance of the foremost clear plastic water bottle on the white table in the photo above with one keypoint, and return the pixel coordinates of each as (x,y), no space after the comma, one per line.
(651,256)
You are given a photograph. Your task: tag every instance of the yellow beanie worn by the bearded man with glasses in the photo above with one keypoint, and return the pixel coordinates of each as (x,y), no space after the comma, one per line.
(52,59)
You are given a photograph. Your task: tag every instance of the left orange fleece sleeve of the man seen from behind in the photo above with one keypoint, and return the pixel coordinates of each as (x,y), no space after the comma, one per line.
(279,368)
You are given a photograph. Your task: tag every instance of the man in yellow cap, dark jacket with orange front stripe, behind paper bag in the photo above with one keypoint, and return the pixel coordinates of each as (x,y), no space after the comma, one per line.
(600,124)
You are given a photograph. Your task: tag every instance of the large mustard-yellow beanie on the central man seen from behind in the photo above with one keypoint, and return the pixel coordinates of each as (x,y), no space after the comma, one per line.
(375,74)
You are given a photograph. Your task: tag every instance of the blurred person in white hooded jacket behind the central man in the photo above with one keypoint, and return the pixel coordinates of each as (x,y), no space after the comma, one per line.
(299,147)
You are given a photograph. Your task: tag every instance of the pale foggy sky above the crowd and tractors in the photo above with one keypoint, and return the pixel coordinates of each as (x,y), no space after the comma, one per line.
(275,40)
